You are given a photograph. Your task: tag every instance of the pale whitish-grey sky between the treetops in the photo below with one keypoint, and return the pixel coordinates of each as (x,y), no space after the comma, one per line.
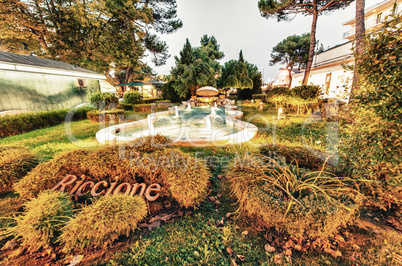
(237,25)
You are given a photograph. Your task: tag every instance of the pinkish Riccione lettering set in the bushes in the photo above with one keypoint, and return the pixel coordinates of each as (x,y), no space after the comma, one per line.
(82,187)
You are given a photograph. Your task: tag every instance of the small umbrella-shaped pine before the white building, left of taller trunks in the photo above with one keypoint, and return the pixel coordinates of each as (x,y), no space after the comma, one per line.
(292,51)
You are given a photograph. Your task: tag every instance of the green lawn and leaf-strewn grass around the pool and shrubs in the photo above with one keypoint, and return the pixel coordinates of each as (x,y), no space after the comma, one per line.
(198,239)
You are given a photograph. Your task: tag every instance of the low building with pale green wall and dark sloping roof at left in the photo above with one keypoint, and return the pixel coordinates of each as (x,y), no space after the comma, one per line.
(29,83)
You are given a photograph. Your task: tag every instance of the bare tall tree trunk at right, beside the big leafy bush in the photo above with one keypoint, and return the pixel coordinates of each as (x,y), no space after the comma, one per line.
(359,35)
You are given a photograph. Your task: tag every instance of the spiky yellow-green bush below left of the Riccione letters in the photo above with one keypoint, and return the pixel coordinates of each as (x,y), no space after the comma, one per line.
(40,224)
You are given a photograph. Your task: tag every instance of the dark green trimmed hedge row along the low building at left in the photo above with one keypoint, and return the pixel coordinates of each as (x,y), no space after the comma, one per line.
(21,123)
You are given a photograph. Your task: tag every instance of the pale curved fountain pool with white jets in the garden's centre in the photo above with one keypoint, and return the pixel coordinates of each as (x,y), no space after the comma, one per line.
(199,126)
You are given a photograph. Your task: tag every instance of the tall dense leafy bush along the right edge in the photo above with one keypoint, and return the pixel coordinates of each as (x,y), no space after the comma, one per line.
(371,147)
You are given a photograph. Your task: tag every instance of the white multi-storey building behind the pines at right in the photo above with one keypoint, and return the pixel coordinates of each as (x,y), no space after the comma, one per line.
(328,69)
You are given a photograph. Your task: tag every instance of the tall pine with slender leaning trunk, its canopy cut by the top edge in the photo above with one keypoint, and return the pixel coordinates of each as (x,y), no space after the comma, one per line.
(284,9)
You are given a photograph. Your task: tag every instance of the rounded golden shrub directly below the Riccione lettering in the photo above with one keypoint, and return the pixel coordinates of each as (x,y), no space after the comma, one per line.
(104,221)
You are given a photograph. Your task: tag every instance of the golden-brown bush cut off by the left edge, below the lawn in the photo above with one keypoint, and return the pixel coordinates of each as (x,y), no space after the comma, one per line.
(15,163)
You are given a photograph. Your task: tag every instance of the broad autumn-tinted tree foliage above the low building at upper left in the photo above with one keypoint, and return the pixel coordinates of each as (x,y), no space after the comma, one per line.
(90,34)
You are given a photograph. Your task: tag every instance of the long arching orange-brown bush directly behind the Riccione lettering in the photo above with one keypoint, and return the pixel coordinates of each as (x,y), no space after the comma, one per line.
(182,177)
